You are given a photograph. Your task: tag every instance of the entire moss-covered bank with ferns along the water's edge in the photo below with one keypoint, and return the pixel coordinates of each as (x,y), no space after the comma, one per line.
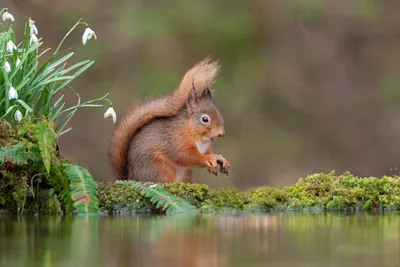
(35,178)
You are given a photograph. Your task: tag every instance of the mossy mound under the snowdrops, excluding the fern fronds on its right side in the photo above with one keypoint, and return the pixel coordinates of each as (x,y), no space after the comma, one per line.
(25,184)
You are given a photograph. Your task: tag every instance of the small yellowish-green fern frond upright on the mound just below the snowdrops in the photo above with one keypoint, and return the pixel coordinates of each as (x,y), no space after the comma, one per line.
(47,144)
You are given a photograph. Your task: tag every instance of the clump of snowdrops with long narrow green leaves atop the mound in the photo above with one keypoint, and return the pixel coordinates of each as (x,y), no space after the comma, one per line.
(39,80)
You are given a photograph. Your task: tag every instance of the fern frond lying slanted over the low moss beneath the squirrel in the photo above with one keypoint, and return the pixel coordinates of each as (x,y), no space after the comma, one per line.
(161,198)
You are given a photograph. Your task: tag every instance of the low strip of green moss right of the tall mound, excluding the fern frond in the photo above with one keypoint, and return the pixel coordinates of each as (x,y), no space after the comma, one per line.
(317,192)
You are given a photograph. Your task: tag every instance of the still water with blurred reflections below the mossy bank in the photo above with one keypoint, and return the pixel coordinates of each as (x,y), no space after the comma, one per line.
(262,240)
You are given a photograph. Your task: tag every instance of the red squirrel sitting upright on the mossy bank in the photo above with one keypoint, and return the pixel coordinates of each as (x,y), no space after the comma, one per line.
(162,139)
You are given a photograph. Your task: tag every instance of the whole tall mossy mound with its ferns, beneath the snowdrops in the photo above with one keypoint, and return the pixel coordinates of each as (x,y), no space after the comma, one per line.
(30,164)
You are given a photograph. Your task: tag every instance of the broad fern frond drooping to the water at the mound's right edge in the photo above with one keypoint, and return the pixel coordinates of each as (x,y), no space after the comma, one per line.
(83,189)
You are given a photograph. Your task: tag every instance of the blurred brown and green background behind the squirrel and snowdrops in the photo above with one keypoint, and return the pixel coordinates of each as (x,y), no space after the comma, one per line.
(306,85)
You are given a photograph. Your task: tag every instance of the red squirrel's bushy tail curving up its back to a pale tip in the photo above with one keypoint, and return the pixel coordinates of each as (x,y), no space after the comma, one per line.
(202,75)
